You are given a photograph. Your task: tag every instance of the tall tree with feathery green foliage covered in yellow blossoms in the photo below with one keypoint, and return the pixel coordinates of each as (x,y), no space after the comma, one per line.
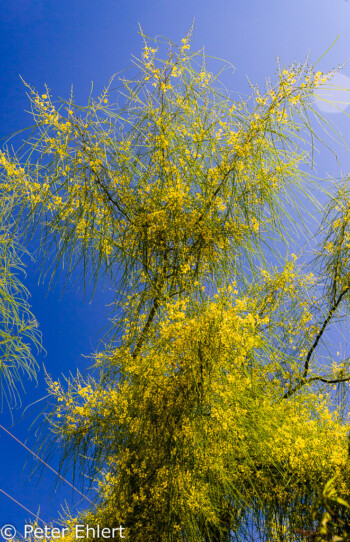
(209,414)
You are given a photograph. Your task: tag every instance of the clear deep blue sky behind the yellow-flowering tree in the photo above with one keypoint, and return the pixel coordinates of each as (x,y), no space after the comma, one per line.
(75,42)
